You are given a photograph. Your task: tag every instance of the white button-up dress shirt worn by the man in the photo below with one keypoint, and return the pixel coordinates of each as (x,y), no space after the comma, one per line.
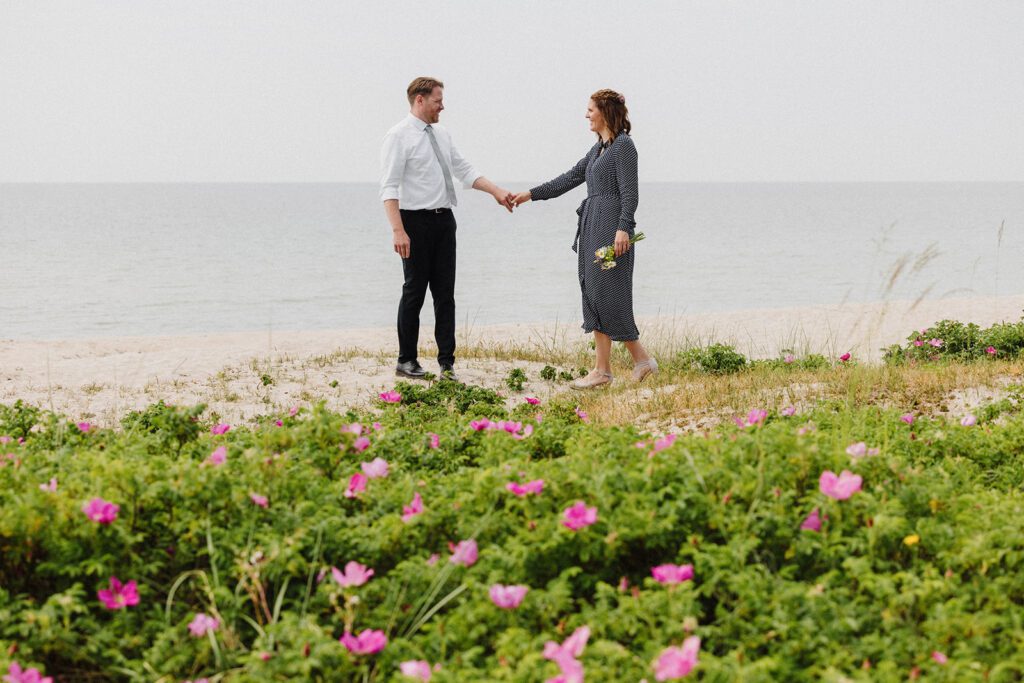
(410,172)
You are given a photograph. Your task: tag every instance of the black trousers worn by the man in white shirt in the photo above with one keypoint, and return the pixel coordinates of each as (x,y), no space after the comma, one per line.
(431,265)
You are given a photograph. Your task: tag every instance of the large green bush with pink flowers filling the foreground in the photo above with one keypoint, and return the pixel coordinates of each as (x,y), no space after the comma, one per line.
(445,538)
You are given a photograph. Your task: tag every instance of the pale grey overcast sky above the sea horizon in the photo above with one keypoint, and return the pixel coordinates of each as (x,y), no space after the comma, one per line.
(303,91)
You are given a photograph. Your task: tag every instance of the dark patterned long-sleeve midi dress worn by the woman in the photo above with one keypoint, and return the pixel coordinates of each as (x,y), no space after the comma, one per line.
(610,206)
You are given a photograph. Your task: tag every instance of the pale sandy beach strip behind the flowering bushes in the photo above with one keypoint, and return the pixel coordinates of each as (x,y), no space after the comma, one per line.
(245,375)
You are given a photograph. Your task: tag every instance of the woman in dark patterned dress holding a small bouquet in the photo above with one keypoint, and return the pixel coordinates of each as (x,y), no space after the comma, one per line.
(606,219)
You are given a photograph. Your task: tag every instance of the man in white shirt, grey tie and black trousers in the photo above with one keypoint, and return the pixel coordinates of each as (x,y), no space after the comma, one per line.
(419,163)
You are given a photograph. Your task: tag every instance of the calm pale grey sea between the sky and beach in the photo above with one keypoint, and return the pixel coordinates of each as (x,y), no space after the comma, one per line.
(86,261)
